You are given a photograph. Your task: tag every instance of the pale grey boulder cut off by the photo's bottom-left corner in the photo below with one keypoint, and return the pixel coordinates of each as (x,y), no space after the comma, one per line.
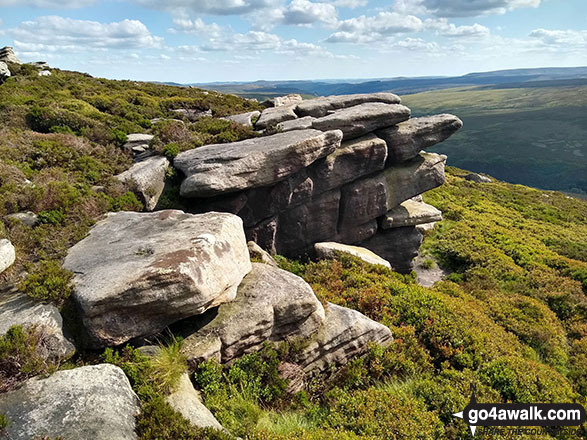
(95,402)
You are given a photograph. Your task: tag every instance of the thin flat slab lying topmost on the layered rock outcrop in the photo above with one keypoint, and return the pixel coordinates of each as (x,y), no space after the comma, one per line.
(320,107)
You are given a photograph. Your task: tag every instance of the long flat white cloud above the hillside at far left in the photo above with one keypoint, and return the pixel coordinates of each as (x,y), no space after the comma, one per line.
(52,33)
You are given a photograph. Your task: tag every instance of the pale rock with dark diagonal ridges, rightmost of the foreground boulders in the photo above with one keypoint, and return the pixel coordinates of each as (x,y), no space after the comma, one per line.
(345,335)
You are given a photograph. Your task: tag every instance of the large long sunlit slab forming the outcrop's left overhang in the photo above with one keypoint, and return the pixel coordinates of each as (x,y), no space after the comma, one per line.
(225,168)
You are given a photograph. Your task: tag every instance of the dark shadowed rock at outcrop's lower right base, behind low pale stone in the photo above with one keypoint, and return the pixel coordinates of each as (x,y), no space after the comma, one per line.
(399,246)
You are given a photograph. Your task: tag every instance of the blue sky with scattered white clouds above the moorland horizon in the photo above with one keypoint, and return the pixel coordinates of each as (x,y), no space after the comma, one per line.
(245,40)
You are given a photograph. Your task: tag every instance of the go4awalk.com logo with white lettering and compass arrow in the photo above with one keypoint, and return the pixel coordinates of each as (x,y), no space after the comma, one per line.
(550,415)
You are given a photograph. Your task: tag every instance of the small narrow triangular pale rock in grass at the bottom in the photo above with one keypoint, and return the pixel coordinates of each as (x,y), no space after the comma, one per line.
(187,401)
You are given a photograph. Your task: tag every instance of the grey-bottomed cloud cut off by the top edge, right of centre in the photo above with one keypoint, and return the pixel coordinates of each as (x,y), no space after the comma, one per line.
(462,8)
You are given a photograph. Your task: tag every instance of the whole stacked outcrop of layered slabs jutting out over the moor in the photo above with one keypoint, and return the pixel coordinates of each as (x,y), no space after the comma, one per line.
(340,165)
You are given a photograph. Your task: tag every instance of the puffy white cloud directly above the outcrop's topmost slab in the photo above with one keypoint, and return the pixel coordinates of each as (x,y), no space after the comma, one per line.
(375,28)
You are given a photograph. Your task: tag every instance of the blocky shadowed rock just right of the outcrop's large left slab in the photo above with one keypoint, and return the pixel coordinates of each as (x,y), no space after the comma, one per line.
(354,159)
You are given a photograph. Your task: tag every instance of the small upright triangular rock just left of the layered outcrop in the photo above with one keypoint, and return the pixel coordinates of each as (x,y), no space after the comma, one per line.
(147,179)
